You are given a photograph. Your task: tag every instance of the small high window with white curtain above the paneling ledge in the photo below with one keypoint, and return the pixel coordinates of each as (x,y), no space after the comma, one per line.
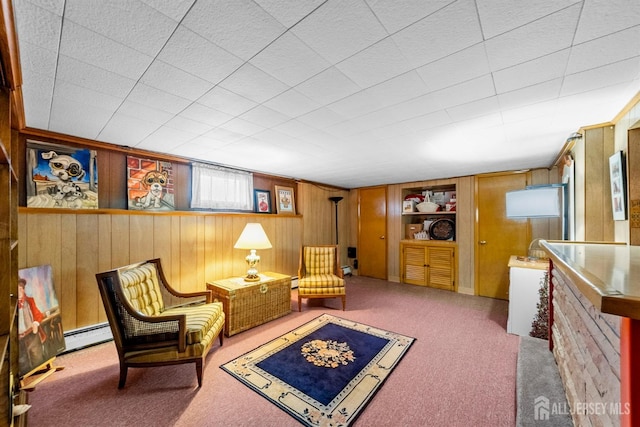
(215,187)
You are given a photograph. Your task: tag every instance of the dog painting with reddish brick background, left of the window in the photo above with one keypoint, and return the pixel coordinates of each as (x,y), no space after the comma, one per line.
(150,185)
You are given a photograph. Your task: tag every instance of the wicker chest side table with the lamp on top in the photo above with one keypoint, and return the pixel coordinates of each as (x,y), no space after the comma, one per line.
(249,304)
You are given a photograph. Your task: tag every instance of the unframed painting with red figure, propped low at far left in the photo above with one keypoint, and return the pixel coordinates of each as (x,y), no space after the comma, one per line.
(40,335)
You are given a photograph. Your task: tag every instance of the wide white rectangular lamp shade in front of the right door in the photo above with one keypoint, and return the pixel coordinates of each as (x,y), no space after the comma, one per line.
(544,202)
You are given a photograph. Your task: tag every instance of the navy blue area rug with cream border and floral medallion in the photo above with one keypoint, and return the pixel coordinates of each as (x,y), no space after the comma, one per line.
(324,372)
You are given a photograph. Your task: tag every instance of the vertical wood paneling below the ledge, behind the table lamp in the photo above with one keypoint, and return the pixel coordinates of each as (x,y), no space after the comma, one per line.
(194,248)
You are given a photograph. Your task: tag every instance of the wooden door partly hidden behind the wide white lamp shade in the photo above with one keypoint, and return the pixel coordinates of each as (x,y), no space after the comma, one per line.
(497,237)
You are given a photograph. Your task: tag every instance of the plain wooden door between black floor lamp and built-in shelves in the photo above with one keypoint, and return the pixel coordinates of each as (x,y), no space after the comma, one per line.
(372,232)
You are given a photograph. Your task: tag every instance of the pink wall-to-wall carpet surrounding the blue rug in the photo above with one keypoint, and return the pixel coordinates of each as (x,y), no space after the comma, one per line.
(460,371)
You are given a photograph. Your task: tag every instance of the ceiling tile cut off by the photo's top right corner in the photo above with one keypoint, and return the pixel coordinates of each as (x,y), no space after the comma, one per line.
(598,19)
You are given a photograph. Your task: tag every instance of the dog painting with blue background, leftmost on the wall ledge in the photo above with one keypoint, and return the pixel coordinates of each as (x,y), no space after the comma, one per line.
(61,177)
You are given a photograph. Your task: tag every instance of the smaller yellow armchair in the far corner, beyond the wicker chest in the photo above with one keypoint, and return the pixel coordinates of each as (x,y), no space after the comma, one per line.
(319,275)
